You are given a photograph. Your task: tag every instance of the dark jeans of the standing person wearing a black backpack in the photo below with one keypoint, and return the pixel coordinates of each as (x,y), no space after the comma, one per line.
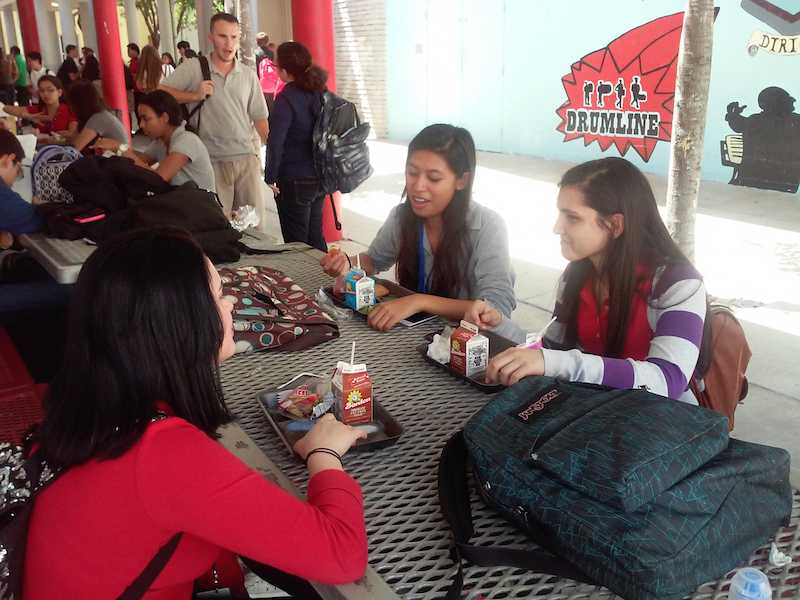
(300,211)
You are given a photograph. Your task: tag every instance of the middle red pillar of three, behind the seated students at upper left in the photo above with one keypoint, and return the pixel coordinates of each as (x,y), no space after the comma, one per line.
(108,47)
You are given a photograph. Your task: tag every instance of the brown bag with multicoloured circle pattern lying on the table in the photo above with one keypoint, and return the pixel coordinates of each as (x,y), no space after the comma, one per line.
(272,312)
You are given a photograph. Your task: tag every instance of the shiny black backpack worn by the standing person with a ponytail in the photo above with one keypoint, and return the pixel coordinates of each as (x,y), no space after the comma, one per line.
(341,154)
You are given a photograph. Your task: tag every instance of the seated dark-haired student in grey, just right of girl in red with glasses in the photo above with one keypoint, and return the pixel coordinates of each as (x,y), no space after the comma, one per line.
(94,119)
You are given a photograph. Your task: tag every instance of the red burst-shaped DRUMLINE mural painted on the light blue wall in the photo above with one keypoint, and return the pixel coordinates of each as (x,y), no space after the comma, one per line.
(622,95)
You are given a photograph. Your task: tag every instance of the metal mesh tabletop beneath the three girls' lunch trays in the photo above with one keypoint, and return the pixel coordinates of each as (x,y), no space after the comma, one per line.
(408,539)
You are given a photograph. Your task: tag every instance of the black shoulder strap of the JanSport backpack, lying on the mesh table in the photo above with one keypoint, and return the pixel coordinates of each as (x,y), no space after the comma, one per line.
(455,506)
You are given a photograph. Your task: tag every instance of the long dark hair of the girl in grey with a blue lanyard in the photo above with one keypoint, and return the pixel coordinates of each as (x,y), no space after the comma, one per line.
(456,147)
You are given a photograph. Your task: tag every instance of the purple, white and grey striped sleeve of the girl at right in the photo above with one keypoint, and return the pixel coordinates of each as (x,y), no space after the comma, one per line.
(678,311)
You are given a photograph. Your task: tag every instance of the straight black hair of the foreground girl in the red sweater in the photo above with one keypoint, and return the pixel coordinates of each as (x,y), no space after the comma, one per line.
(143,328)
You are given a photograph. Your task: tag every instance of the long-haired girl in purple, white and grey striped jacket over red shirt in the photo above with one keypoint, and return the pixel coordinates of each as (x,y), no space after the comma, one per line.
(630,306)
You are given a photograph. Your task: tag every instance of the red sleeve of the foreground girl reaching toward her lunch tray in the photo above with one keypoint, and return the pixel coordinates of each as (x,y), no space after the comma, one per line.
(191,483)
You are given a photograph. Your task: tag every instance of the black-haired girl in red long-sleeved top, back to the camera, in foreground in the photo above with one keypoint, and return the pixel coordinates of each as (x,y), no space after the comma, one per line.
(148,328)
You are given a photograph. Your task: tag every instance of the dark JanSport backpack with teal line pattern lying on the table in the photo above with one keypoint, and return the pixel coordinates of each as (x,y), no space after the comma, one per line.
(641,494)
